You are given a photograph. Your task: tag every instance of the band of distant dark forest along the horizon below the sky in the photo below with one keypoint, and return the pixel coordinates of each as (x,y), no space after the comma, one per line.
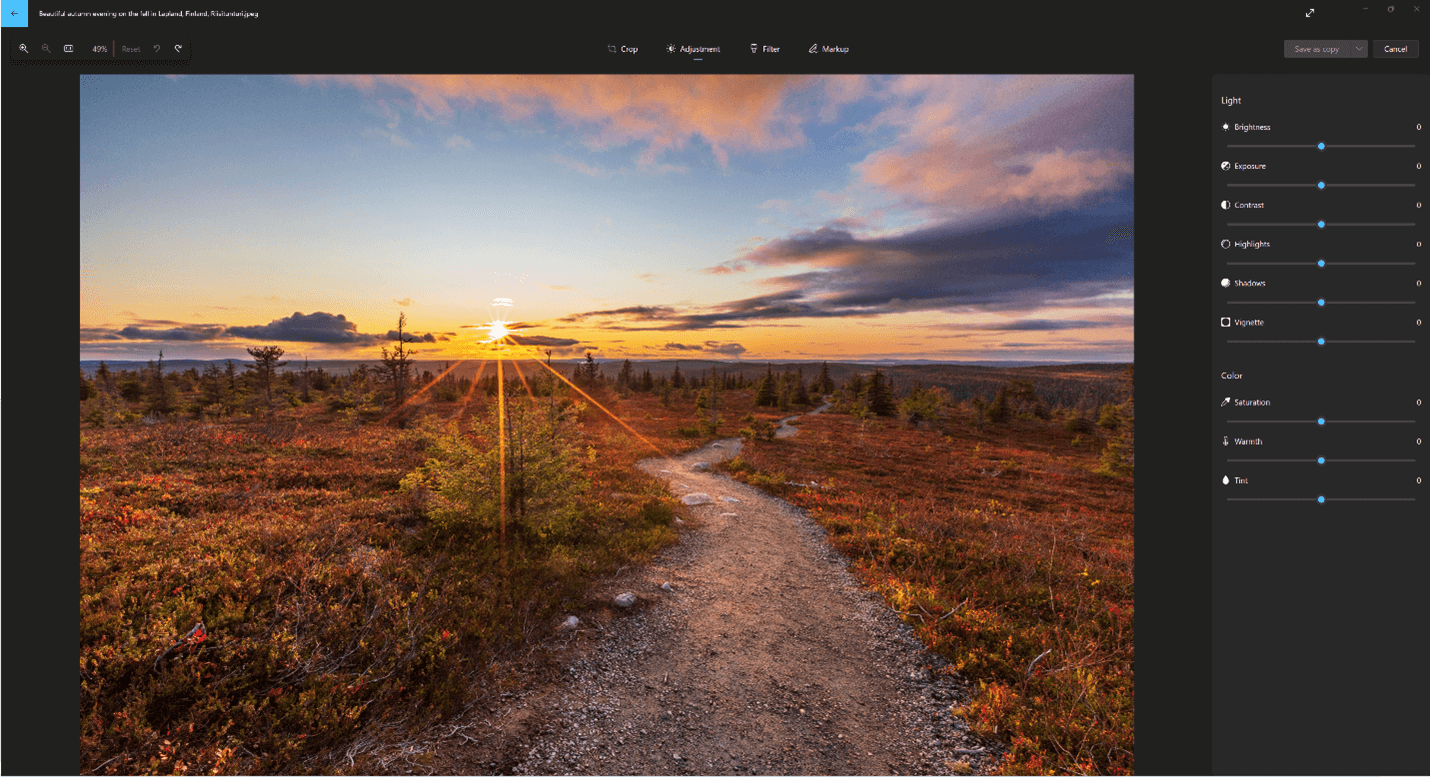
(228,386)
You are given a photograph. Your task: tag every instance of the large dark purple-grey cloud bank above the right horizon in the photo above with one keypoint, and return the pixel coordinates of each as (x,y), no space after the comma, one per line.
(1016,263)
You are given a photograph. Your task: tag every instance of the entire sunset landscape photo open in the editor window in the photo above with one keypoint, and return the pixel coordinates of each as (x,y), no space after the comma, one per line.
(607,426)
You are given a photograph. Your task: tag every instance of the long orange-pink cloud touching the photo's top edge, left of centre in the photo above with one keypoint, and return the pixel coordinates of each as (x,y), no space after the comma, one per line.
(731,114)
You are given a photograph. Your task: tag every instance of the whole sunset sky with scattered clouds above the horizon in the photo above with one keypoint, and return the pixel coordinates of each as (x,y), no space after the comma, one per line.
(754,218)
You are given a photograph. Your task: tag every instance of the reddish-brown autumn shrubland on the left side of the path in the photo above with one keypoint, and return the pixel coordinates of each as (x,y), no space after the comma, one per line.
(258,603)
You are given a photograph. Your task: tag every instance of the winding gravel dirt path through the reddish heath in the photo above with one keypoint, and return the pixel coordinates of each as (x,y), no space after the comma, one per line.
(766,656)
